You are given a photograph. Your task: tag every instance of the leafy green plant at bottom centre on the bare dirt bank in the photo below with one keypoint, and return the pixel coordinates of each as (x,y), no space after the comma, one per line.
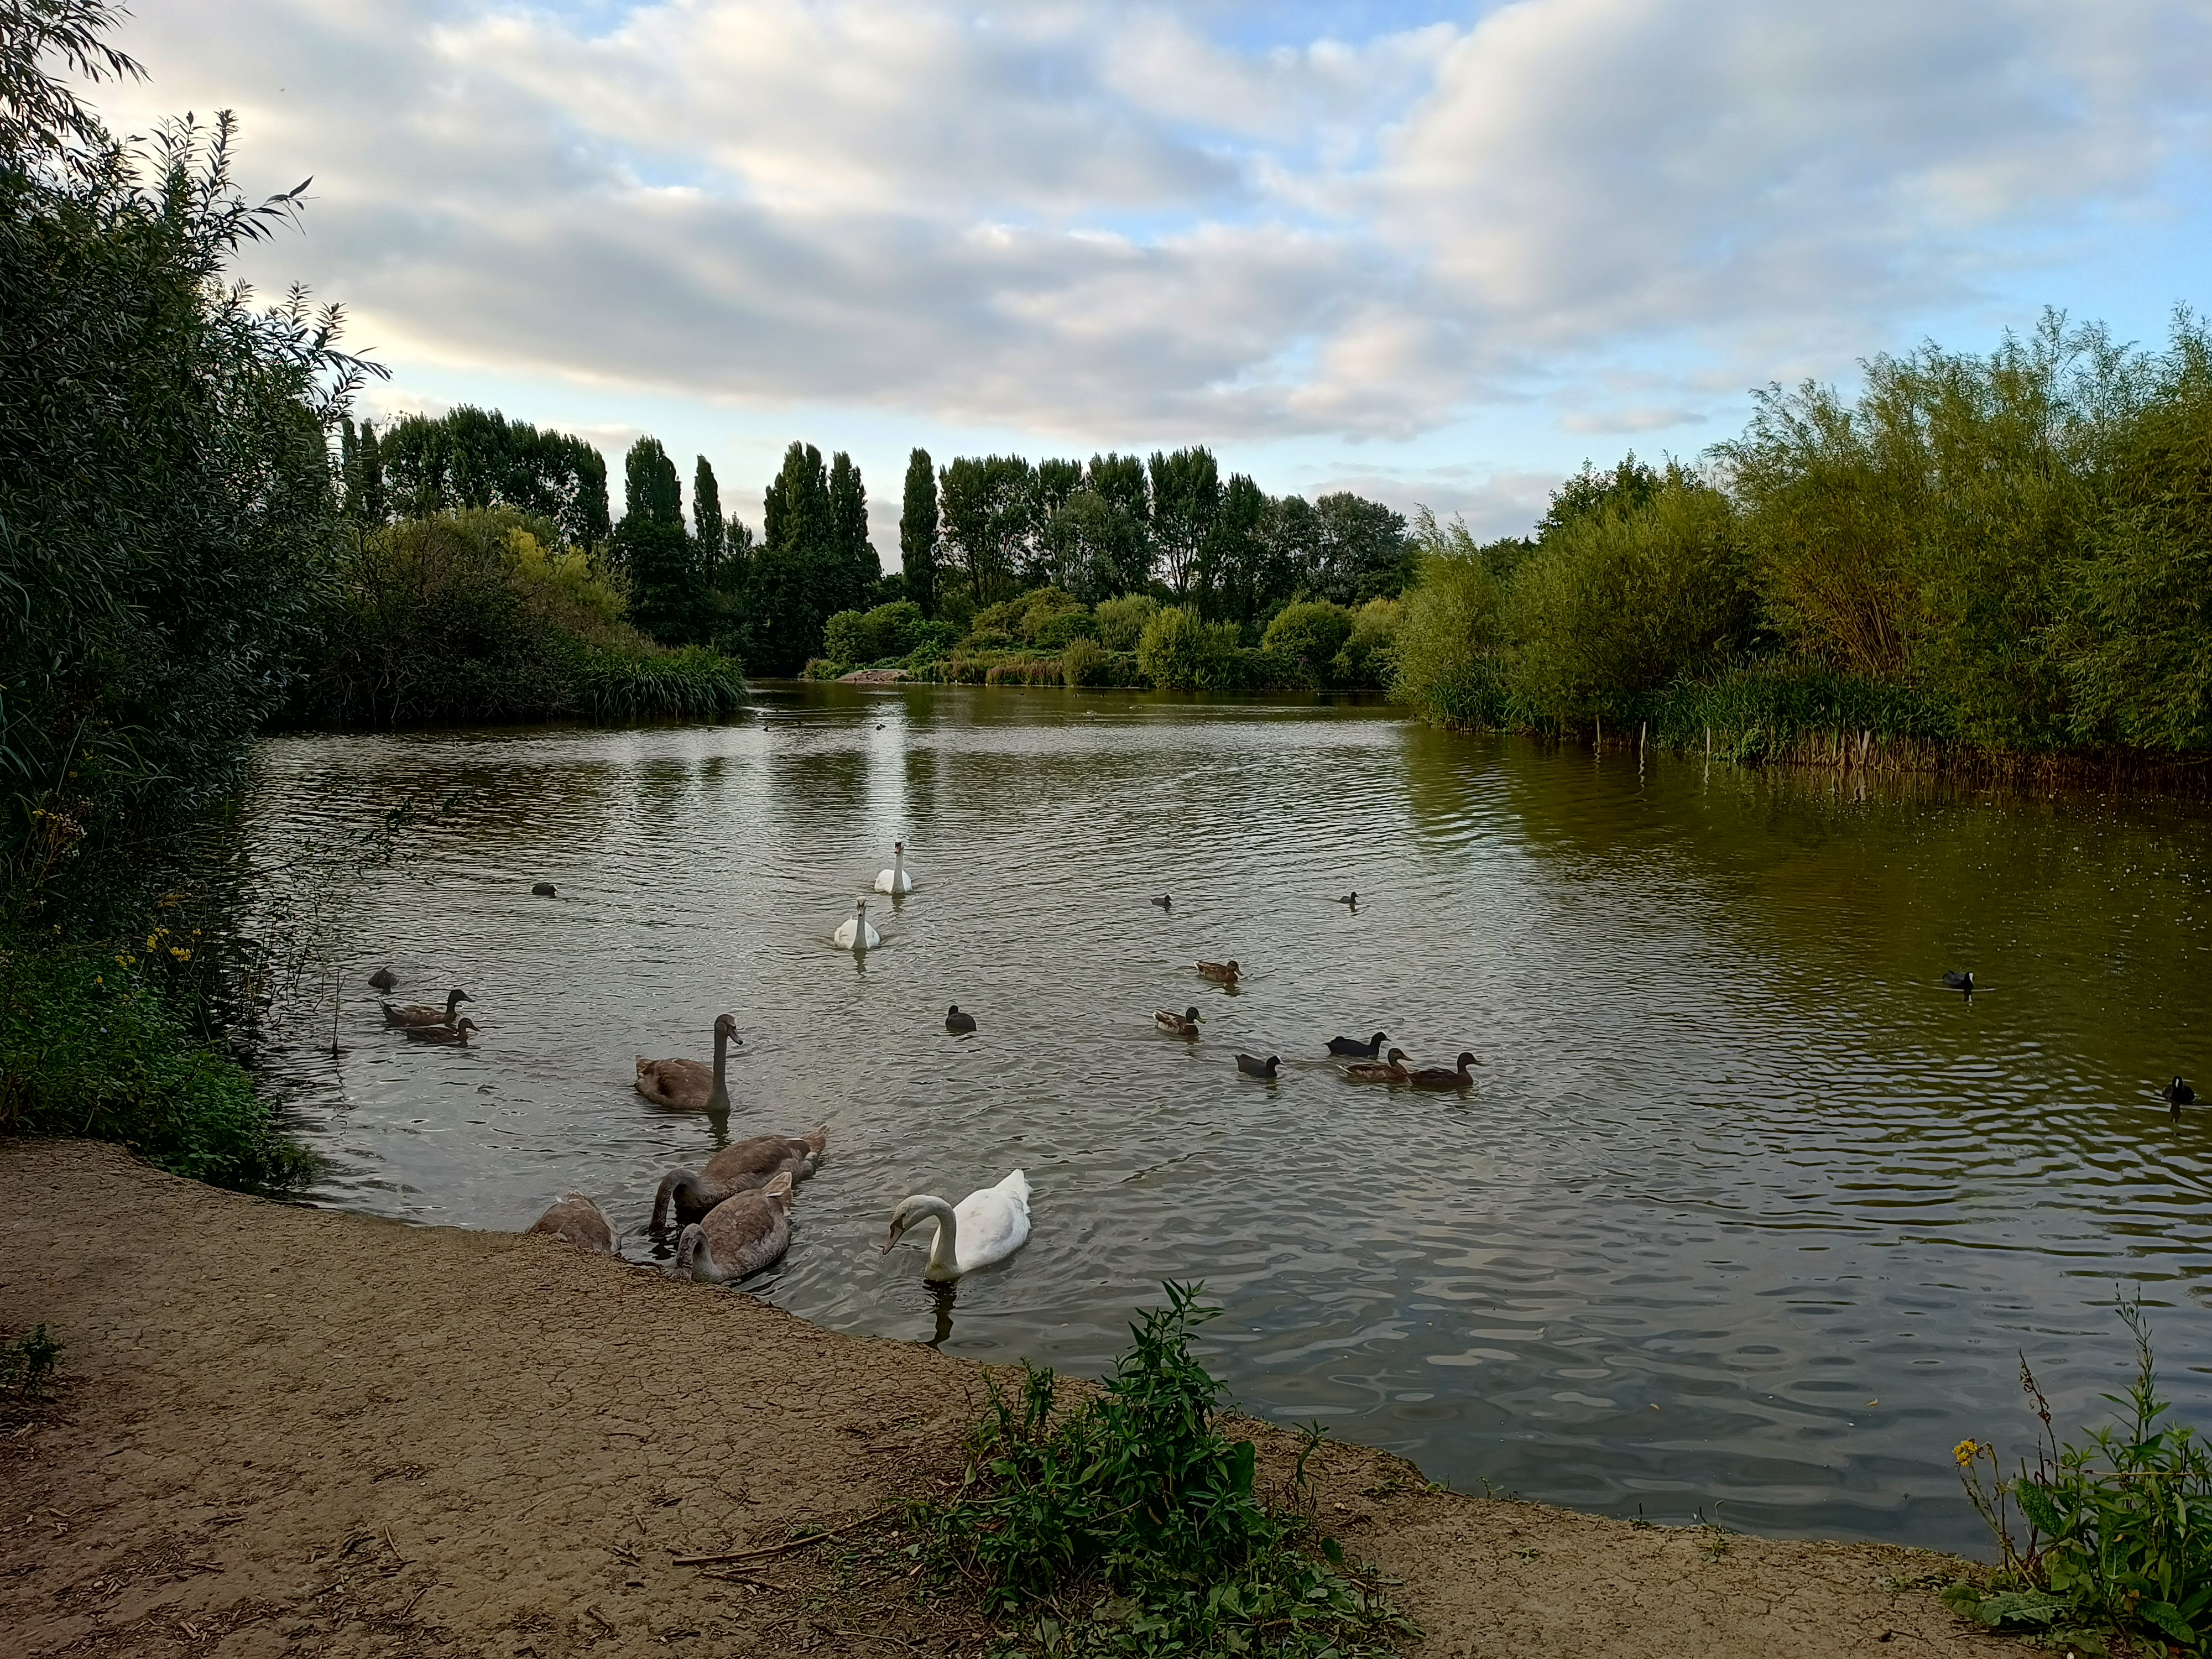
(1131,1525)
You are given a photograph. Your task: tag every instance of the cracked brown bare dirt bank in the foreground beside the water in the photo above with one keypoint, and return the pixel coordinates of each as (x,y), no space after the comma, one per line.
(311,1432)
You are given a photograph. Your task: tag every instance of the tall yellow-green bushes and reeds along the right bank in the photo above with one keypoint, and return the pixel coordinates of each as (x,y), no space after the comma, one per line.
(2003,556)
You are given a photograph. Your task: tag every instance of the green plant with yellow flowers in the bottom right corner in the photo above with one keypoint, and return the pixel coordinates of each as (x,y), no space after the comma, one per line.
(2103,1534)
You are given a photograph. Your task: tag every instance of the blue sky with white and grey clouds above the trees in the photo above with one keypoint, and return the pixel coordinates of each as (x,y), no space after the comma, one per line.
(1432,253)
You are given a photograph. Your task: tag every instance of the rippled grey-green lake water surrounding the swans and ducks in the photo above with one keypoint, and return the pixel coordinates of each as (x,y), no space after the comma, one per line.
(1742,1211)
